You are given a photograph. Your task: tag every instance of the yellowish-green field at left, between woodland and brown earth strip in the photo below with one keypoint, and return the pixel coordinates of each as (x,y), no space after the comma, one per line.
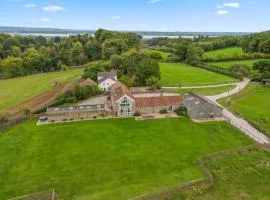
(18,90)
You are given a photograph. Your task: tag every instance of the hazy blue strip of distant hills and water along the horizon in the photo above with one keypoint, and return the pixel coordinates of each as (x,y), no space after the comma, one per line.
(25,30)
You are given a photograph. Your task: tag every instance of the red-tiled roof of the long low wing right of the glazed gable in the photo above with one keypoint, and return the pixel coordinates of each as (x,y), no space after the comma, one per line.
(158,101)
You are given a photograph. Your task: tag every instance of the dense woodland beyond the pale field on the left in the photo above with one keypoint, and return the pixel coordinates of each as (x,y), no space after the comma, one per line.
(20,56)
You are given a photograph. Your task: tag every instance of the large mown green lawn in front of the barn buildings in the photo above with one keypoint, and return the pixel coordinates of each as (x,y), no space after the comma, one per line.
(108,159)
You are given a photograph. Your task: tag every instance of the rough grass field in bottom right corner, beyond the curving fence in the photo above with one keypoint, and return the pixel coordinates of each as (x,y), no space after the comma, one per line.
(240,177)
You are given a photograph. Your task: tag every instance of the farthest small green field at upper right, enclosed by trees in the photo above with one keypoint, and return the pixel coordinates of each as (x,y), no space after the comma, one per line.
(223,53)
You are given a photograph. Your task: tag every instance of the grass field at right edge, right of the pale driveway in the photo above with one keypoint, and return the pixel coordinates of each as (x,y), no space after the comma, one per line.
(252,104)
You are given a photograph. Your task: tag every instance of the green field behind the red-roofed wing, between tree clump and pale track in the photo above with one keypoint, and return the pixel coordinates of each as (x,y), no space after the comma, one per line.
(179,74)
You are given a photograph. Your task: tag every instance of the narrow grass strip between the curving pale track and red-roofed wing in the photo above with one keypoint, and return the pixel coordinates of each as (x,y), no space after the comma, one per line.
(204,91)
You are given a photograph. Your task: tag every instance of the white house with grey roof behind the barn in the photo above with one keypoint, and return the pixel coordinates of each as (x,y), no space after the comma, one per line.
(106,80)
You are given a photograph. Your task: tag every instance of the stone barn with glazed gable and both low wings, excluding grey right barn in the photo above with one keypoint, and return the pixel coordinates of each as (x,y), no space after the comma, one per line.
(120,102)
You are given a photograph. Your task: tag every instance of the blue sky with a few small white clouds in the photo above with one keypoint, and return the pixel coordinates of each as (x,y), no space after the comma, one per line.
(139,15)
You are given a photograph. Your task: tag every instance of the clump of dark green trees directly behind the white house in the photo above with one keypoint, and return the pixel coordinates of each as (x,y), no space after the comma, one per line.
(134,68)
